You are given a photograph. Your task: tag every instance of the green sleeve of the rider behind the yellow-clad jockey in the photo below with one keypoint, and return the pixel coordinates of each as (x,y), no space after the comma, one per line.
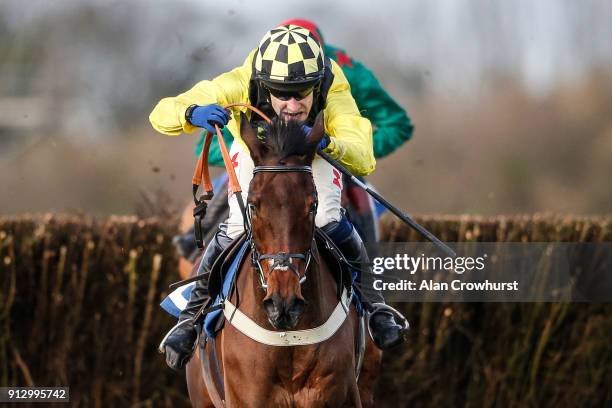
(390,123)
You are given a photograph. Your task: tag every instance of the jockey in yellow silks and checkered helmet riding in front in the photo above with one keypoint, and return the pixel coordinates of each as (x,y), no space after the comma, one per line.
(287,76)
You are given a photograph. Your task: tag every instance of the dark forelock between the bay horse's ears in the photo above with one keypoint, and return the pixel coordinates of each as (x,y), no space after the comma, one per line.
(287,138)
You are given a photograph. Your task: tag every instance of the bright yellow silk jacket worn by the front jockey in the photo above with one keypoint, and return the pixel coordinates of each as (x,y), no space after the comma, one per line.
(350,133)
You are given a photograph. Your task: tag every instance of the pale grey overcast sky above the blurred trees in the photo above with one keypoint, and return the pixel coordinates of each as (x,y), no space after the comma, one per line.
(542,41)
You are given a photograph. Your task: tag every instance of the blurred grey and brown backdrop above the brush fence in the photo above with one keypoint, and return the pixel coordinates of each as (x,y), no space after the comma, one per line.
(512,100)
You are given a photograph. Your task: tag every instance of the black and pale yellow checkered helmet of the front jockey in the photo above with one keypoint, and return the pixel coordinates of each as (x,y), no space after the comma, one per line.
(289,56)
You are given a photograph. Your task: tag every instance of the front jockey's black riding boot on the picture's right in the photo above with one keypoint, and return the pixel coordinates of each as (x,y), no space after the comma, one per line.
(386,333)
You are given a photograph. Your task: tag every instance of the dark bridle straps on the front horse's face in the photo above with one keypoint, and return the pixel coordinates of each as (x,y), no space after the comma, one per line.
(280,260)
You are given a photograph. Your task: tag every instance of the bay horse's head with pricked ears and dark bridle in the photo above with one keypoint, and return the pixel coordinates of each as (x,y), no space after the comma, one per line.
(281,210)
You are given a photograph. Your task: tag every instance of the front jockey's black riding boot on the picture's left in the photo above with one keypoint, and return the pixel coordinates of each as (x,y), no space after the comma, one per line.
(179,343)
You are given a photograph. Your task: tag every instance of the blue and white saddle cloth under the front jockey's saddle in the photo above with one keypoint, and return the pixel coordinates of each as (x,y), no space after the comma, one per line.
(176,301)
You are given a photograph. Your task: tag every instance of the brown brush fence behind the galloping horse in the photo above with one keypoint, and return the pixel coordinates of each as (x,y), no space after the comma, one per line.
(78,308)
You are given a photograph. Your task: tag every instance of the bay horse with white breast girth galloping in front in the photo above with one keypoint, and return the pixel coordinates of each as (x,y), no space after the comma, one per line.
(289,291)
